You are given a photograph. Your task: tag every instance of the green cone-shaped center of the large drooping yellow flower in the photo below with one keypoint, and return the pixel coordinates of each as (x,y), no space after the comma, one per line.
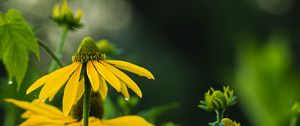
(87,50)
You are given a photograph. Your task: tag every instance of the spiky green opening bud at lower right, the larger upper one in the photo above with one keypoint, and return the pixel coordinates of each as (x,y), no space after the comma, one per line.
(218,100)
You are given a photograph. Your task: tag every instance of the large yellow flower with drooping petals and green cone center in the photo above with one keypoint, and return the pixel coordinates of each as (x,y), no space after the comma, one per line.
(88,59)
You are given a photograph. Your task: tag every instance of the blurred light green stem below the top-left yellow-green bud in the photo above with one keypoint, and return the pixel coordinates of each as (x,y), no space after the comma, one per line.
(59,48)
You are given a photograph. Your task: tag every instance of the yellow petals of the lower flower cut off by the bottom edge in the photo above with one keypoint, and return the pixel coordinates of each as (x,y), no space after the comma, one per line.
(41,114)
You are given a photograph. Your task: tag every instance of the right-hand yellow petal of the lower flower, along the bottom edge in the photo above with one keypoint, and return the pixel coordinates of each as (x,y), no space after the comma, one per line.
(127,121)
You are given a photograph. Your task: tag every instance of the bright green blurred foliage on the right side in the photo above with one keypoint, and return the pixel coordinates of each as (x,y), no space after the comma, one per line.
(265,83)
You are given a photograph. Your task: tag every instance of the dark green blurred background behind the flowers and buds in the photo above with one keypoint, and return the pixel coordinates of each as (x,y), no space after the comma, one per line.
(251,45)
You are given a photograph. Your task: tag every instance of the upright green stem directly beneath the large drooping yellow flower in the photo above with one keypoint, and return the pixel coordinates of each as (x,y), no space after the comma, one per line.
(86,98)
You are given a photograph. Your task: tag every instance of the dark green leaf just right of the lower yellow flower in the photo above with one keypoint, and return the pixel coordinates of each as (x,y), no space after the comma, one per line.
(153,113)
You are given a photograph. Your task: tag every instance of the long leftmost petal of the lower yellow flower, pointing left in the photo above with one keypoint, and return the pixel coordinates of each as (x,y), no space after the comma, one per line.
(37,108)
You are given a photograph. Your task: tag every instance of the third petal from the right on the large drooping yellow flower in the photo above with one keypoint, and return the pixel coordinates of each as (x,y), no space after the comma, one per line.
(108,75)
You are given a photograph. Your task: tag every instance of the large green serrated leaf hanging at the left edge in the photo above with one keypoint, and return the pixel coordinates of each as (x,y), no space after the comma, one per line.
(16,41)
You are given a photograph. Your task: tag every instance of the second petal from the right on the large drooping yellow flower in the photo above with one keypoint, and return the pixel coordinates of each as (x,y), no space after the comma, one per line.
(122,76)
